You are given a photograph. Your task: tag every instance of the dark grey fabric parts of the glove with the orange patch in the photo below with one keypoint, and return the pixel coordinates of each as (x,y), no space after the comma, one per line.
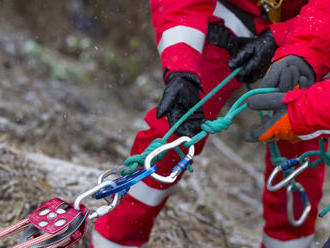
(269,101)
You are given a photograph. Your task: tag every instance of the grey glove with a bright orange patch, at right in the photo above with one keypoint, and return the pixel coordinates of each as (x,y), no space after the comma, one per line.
(277,127)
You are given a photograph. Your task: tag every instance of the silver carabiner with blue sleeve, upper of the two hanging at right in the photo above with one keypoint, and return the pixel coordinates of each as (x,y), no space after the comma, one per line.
(285,166)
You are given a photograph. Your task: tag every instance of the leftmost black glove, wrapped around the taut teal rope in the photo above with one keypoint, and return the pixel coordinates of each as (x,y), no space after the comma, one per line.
(180,94)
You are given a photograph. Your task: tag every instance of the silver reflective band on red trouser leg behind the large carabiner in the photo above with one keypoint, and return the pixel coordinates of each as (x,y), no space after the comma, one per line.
(147,195)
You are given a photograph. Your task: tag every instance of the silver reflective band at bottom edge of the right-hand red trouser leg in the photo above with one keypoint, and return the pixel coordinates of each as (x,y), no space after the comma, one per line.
(303,242)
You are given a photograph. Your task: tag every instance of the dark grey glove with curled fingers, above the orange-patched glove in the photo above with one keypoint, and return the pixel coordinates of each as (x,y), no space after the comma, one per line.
(286,73)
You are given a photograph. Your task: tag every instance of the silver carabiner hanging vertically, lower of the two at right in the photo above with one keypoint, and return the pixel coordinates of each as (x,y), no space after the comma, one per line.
(304,199)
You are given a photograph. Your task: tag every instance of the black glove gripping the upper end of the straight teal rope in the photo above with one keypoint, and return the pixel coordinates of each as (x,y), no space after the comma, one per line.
(255,57)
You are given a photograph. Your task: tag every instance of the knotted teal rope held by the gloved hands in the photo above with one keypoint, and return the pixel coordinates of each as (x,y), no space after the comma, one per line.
(215,126)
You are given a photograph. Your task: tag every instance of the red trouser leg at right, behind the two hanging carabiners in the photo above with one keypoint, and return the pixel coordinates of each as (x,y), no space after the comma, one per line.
(274,203)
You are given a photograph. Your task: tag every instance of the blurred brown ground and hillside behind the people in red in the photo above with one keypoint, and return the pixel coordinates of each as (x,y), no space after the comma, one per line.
(76,78)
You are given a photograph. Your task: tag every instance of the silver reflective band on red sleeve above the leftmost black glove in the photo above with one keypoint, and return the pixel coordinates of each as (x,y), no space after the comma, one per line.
(190,36)
